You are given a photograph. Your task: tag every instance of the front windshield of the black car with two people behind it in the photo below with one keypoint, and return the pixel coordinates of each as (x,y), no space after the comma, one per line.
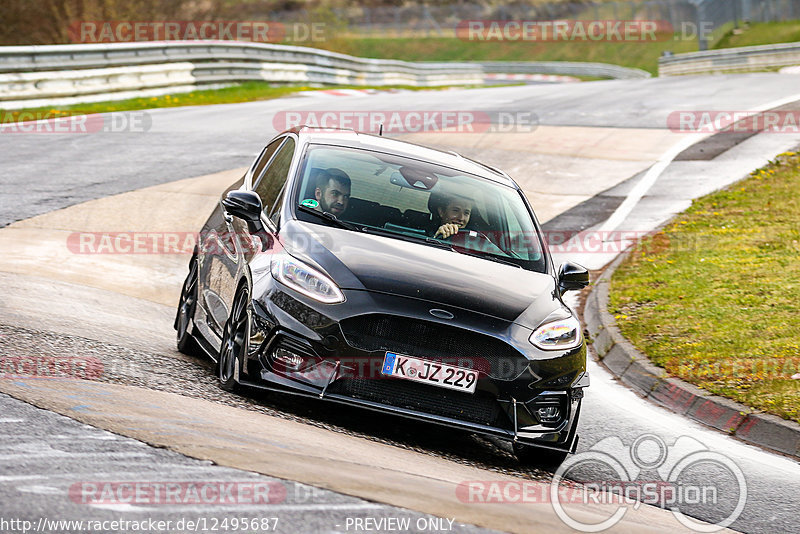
(405,198)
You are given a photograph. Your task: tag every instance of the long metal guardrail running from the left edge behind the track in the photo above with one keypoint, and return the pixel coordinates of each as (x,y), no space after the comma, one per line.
(35,76)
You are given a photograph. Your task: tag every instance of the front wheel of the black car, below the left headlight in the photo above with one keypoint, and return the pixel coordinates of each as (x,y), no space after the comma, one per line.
(235,338)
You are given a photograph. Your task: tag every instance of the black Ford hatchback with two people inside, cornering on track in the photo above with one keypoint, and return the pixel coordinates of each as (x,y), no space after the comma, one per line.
(378,273)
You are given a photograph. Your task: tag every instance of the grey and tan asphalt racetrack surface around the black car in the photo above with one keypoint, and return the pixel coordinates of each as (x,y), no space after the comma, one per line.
(600,155)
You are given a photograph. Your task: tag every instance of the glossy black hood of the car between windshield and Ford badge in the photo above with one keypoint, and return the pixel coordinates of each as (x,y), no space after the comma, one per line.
(360,261)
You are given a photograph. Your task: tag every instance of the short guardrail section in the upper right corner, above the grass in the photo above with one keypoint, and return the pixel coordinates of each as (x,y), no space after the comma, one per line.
(750,58)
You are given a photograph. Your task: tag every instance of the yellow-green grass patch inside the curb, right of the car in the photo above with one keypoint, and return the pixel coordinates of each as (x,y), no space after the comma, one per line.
(714,297)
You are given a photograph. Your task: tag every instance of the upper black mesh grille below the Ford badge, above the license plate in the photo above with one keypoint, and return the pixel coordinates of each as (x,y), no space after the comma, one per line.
(434,341)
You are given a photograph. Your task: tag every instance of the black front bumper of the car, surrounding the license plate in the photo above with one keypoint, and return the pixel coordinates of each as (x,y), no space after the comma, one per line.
(301,347)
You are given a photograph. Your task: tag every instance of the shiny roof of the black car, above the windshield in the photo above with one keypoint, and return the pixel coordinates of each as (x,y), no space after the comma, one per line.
(353,139)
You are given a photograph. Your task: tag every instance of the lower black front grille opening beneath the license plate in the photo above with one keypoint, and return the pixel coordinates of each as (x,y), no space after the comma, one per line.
(479,407)
